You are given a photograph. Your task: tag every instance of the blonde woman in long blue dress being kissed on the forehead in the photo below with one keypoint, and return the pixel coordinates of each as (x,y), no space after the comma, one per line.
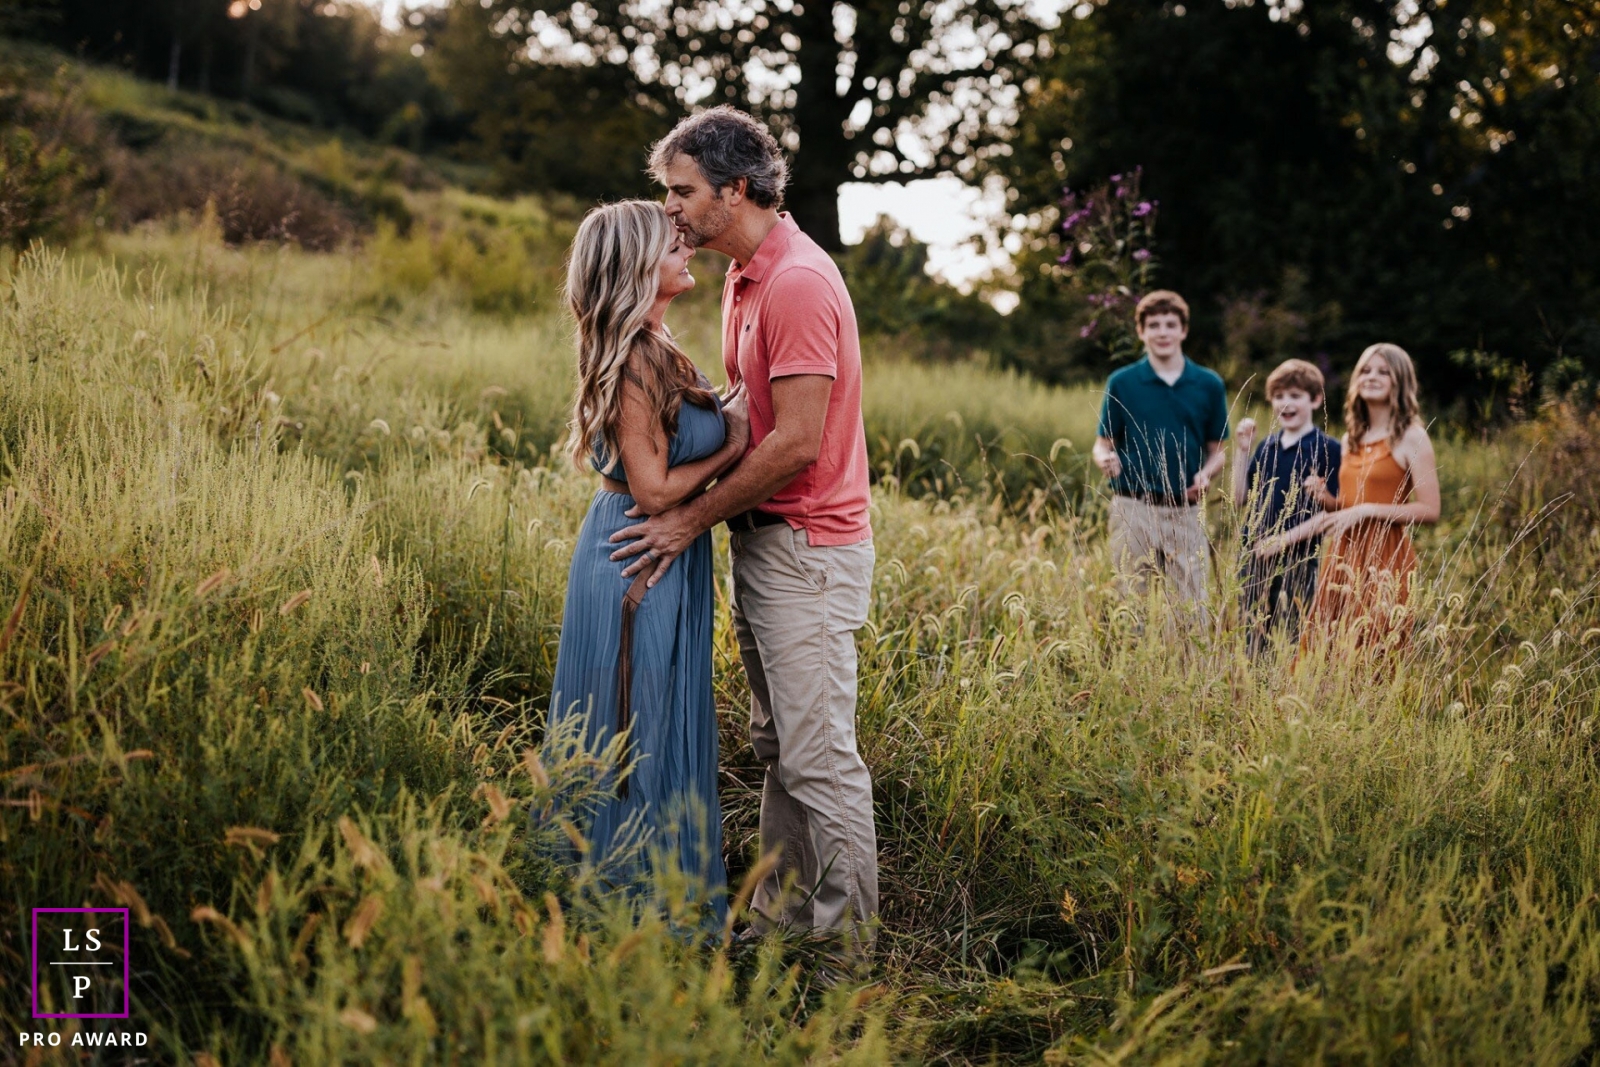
(634,665)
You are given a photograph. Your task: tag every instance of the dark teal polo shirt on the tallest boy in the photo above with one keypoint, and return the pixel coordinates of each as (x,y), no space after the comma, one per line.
(1161,431)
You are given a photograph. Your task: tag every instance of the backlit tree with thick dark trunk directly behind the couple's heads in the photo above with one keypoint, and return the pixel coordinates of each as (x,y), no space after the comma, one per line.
(871,92)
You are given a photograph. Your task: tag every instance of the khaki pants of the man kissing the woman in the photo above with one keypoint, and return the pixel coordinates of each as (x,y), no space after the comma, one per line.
(796,612)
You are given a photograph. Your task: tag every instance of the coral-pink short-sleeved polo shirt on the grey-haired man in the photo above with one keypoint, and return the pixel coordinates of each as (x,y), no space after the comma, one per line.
(788,313)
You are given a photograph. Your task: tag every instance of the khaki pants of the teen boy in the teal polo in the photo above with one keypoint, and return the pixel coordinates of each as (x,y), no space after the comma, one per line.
(1148,540)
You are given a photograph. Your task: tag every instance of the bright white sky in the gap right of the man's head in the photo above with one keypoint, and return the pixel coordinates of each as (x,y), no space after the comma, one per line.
(942,212)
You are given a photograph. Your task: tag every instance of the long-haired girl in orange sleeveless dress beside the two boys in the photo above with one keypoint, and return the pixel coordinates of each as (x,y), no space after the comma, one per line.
(1388,482)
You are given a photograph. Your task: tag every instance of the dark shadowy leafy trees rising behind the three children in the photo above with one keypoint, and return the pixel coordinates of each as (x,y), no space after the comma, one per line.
(1414,172)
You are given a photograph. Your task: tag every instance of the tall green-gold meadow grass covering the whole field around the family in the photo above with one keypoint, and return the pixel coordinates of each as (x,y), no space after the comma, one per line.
(286,570)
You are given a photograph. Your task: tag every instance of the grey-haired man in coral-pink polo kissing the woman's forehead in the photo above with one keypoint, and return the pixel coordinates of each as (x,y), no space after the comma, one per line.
(798,508)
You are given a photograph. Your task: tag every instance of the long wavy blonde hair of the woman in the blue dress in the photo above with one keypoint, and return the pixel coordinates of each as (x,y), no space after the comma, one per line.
(614,273)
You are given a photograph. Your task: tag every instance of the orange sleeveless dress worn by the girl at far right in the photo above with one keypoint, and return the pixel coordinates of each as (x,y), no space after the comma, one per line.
(1366,573)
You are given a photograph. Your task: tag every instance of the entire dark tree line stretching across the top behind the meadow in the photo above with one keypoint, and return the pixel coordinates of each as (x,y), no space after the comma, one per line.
(1327,174)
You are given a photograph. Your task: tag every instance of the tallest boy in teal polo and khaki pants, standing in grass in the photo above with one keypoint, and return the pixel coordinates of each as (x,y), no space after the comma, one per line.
(1161,444)
